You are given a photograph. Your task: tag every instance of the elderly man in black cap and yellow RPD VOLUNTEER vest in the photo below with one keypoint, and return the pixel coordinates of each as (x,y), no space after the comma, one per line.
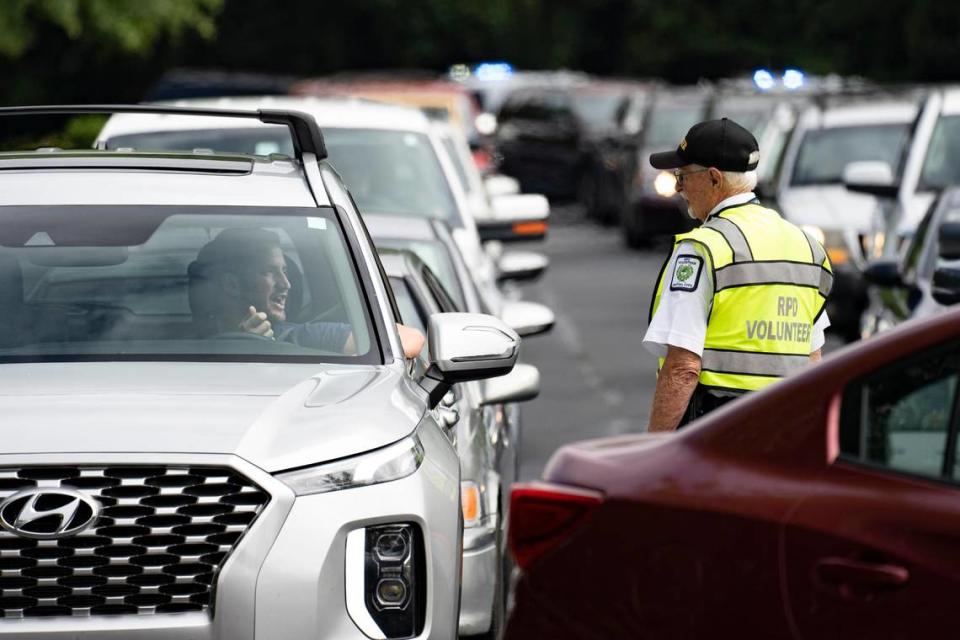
(739,302)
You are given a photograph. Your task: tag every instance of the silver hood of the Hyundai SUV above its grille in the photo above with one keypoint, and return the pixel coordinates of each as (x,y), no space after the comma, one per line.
(277,416)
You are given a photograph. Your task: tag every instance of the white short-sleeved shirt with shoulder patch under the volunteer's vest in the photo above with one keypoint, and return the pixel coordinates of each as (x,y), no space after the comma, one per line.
(681,317)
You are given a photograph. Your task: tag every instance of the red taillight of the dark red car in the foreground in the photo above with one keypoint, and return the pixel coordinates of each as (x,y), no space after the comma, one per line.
(542,516)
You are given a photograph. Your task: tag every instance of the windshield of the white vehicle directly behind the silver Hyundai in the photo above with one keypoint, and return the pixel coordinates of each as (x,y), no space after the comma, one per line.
(392,172)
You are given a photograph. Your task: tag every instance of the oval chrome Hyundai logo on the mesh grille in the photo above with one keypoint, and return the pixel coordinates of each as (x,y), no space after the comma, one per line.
(46,514)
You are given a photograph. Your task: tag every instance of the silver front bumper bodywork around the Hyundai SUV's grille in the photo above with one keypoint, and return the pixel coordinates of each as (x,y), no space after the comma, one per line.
(286,577)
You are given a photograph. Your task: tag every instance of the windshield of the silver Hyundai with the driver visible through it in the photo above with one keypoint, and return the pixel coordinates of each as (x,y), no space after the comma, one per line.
(179,283)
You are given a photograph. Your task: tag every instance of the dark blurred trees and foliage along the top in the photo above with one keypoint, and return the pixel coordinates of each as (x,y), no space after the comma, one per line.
(112,50)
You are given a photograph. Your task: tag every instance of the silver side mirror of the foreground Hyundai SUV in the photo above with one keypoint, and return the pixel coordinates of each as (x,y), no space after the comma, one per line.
(467,346)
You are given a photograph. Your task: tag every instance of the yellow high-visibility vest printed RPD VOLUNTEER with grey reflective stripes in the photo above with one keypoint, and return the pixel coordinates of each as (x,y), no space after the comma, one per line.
(771,280)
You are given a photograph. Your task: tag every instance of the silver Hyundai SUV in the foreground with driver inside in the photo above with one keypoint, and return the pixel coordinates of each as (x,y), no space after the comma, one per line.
(210,430)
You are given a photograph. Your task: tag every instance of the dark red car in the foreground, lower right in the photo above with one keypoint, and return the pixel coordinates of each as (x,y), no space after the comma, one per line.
(827,506)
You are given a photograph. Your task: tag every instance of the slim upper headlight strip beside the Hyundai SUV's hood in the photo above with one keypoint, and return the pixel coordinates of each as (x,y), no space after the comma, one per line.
(392,462)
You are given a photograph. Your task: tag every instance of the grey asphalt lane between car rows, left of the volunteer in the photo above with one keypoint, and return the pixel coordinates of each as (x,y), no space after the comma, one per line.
(596,377)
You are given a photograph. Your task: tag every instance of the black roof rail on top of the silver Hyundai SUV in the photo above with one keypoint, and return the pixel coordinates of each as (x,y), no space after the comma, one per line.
(307,137)
